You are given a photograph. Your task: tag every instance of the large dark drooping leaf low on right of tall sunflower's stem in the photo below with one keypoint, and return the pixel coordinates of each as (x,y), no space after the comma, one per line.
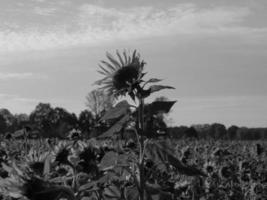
(162,154)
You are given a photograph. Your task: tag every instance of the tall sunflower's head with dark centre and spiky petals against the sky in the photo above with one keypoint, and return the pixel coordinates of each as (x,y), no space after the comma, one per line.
(123,75)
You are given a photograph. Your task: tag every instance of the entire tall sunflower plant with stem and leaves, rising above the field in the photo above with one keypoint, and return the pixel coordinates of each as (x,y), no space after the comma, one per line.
(125,76)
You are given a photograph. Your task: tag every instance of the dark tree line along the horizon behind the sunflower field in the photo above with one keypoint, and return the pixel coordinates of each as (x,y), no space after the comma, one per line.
(46,121)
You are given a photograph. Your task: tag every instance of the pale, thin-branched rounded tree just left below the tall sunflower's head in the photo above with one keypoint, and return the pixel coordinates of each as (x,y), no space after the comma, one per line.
(98,102)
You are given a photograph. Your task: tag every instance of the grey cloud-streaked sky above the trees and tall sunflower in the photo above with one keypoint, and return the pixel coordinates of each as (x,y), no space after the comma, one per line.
(212,52)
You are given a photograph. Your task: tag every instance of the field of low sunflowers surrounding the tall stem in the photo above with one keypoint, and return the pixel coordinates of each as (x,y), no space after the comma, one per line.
(52,169)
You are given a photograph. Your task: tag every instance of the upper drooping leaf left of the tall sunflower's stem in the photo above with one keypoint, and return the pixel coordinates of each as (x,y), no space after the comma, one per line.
(120,109)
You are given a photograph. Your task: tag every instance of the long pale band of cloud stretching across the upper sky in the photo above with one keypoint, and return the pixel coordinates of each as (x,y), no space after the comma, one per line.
(95,25)
